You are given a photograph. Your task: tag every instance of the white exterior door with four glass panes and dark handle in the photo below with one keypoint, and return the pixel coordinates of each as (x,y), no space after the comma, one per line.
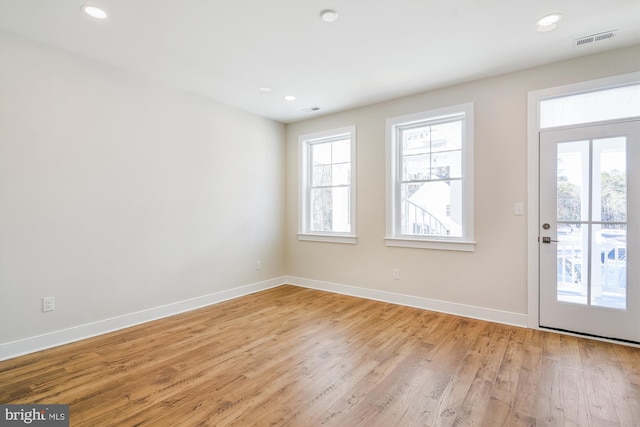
(589,244)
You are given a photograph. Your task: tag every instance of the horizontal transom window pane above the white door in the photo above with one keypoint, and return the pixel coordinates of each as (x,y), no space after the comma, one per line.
(609,104)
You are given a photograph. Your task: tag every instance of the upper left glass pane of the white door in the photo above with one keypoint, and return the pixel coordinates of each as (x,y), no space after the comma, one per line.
(573,180)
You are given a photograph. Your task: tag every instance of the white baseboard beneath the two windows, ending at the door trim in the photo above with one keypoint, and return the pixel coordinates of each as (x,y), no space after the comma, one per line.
(481,313)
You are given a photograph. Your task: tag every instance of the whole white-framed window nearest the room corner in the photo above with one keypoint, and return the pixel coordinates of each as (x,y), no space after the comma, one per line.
(327,186)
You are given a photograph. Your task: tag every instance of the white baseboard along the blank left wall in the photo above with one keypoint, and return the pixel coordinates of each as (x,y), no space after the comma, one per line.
(53,339)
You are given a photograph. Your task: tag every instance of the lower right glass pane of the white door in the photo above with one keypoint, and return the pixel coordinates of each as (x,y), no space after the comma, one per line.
(609,266)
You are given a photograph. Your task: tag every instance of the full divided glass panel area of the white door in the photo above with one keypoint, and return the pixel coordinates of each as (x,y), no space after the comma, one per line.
(592,190)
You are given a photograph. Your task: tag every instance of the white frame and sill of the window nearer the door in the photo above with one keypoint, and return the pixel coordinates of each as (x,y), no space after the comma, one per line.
(393,235)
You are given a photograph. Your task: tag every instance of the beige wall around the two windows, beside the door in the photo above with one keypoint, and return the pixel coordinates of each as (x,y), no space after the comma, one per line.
(495,275)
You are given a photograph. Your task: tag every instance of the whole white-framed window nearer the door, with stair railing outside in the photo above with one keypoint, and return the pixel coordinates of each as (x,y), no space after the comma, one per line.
(430,179)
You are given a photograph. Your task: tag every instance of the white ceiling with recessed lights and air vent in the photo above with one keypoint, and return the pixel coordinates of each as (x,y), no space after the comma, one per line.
(376,50)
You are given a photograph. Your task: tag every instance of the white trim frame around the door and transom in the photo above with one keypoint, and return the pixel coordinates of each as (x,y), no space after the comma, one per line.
(533,178)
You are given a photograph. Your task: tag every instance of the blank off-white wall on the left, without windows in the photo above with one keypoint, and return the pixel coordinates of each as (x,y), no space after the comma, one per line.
(118,194)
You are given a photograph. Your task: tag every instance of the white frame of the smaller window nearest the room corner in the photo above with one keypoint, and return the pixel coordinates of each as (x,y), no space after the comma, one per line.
(304,187)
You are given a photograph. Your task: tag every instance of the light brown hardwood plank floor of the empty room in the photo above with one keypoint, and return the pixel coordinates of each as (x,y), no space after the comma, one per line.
(298,357)
